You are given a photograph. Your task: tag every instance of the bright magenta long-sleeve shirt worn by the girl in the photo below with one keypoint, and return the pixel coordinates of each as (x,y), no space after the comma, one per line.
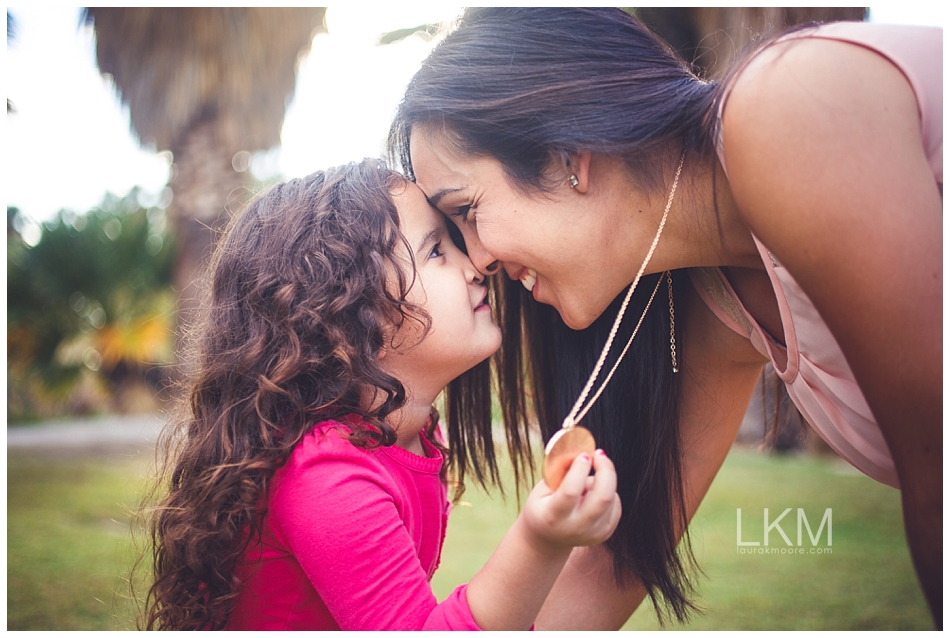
(350,541)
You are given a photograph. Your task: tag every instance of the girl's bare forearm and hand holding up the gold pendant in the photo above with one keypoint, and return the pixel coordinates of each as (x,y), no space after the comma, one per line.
(508,591)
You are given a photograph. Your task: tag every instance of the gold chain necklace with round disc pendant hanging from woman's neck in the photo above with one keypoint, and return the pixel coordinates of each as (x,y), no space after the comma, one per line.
(573,439)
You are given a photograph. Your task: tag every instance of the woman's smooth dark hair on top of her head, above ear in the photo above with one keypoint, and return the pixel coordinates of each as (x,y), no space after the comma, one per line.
(527,86)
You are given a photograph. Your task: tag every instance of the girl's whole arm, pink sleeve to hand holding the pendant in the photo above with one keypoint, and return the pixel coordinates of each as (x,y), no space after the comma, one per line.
(336,514)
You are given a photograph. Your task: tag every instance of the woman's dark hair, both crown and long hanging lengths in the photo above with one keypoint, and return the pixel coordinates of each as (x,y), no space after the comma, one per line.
(529,87)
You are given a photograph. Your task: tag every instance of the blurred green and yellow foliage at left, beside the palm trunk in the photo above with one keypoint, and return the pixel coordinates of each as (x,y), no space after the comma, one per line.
(89,306)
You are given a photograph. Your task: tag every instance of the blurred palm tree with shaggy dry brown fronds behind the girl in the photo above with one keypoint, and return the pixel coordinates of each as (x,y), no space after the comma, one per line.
(210,85)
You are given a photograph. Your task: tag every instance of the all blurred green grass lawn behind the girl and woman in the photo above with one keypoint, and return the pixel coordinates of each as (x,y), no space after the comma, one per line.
(69,547)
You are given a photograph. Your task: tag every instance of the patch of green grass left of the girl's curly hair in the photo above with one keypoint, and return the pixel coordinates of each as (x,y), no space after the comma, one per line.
(69,548)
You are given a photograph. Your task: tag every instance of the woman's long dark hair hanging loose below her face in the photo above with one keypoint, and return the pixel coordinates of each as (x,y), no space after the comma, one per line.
(542,368)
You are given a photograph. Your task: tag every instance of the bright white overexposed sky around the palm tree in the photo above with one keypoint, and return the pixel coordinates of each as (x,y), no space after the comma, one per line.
(69,141)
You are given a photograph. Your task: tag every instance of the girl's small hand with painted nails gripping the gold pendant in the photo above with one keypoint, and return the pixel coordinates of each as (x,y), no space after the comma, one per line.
(584,510)
